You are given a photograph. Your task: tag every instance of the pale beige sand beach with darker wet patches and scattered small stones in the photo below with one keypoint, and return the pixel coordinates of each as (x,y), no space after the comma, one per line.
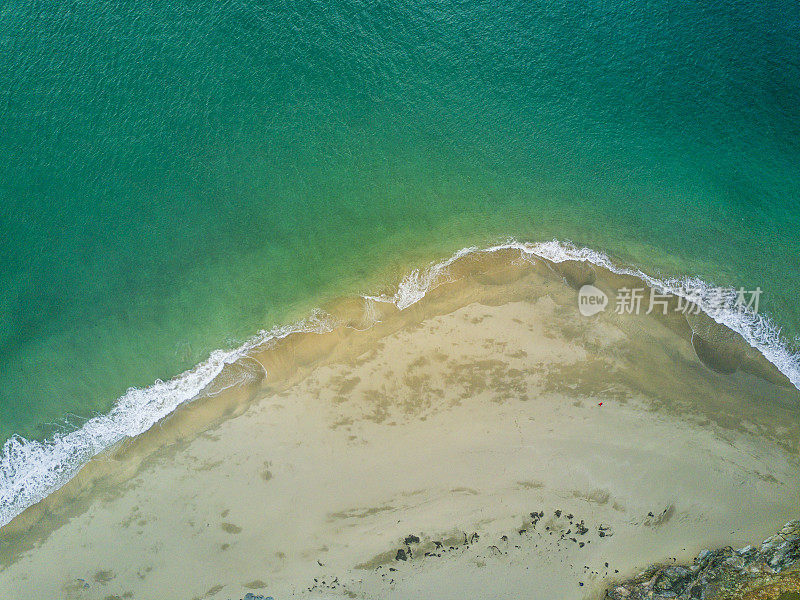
(487,441)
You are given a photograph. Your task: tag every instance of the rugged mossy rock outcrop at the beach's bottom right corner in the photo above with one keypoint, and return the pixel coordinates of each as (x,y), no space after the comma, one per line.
(769,572)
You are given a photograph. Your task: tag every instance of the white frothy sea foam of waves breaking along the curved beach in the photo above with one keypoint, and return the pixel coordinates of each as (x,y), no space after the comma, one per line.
(30,470)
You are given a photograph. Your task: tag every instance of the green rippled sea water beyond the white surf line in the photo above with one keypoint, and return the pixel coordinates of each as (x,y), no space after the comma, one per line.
(176,176)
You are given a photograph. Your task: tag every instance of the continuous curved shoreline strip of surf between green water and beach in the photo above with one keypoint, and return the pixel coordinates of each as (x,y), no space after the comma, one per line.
(141,409)
